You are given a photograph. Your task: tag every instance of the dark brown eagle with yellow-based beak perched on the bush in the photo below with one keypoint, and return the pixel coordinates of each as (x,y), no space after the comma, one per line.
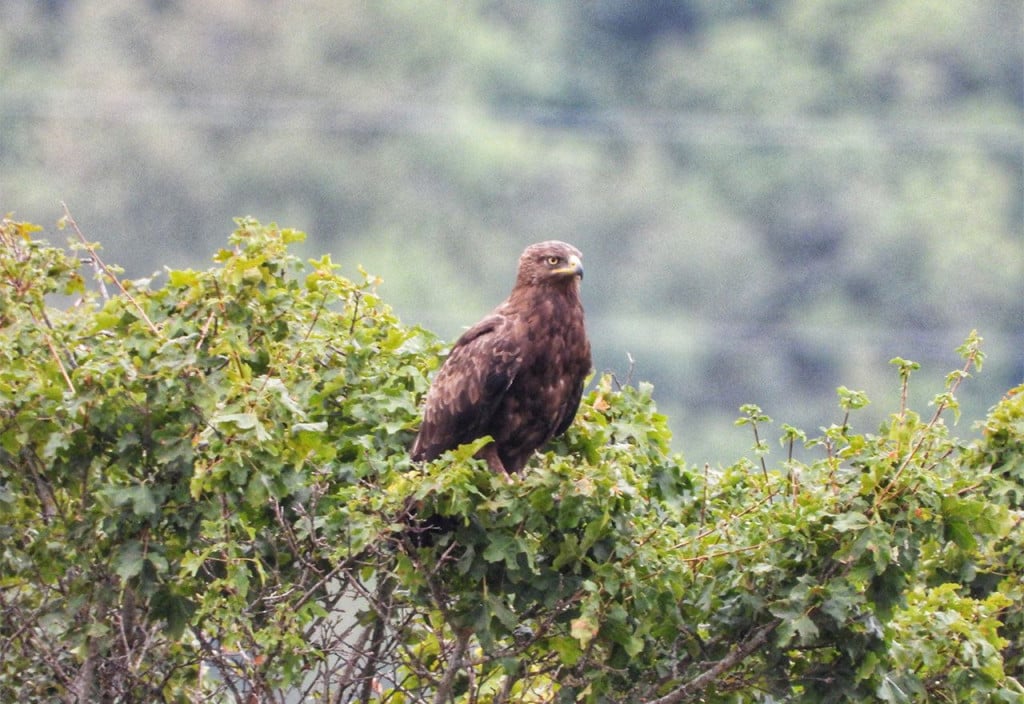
(517,376)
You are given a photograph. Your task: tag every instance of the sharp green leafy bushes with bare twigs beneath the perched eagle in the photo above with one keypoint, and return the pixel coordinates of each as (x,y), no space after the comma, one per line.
(206,496)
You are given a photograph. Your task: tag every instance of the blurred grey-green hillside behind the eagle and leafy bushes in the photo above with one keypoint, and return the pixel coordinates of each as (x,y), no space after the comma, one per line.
(774,199)
